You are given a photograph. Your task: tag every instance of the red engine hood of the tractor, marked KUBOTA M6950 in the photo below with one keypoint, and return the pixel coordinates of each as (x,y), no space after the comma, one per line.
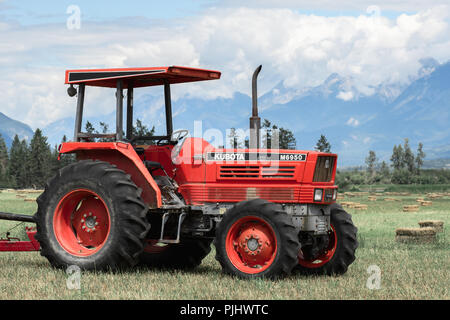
(204,180)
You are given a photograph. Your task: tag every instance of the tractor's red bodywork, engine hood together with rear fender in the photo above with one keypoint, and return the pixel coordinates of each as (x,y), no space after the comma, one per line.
(202,178)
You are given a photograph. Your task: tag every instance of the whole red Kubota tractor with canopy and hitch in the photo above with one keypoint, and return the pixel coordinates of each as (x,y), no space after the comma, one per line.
(161,203)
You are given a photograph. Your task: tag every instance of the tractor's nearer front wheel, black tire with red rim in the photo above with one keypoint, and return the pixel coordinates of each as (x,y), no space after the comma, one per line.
(256,238)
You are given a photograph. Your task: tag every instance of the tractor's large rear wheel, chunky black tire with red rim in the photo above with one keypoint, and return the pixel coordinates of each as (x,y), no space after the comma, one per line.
(91,215)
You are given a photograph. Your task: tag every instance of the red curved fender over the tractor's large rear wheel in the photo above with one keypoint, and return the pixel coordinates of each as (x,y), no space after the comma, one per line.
(124,157)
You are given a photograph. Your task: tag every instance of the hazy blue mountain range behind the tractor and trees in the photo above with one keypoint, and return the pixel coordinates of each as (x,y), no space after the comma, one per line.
(354,122)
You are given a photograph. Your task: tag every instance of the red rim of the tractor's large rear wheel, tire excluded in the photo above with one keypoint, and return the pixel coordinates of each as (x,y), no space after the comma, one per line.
(81,222)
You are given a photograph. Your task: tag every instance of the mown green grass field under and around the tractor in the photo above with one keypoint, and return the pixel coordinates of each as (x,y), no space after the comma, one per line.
(408,271)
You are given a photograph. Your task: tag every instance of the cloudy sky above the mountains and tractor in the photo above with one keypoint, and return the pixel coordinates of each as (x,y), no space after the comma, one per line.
(299,42)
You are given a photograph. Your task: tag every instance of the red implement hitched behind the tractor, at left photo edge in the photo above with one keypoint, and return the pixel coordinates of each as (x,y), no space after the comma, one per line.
(15,244)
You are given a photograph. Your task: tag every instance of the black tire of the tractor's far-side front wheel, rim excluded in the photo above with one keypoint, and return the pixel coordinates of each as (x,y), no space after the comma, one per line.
(346,245)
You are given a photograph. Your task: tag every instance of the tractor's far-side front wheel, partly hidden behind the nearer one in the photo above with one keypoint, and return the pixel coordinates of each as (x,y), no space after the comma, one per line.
(340,252)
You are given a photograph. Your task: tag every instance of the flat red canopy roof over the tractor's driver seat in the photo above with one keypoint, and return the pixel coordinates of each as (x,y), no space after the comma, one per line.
(139,77)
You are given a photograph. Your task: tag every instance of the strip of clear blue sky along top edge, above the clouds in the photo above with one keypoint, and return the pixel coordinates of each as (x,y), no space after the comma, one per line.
(30,12)
